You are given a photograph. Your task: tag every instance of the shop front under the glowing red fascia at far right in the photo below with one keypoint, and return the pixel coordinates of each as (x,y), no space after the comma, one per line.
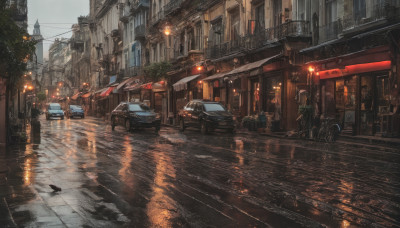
(359,97)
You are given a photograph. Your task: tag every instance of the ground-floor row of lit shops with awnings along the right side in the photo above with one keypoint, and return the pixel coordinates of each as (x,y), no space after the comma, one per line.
(357,89)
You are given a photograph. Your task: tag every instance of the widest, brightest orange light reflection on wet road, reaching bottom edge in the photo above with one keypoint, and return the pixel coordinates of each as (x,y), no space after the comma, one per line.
(161,209)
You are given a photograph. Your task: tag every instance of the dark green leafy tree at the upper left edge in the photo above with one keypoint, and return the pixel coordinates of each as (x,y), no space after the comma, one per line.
(16,47)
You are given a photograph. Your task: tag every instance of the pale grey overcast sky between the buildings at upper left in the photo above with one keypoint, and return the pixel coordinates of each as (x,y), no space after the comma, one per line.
(55,17)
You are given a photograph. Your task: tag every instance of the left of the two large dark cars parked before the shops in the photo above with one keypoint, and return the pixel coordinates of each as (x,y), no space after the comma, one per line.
(134,115)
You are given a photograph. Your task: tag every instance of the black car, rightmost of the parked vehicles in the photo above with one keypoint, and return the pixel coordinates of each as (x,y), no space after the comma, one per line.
(206,115)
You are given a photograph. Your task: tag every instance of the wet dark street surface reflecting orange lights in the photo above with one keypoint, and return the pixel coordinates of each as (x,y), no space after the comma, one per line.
(173,179)
